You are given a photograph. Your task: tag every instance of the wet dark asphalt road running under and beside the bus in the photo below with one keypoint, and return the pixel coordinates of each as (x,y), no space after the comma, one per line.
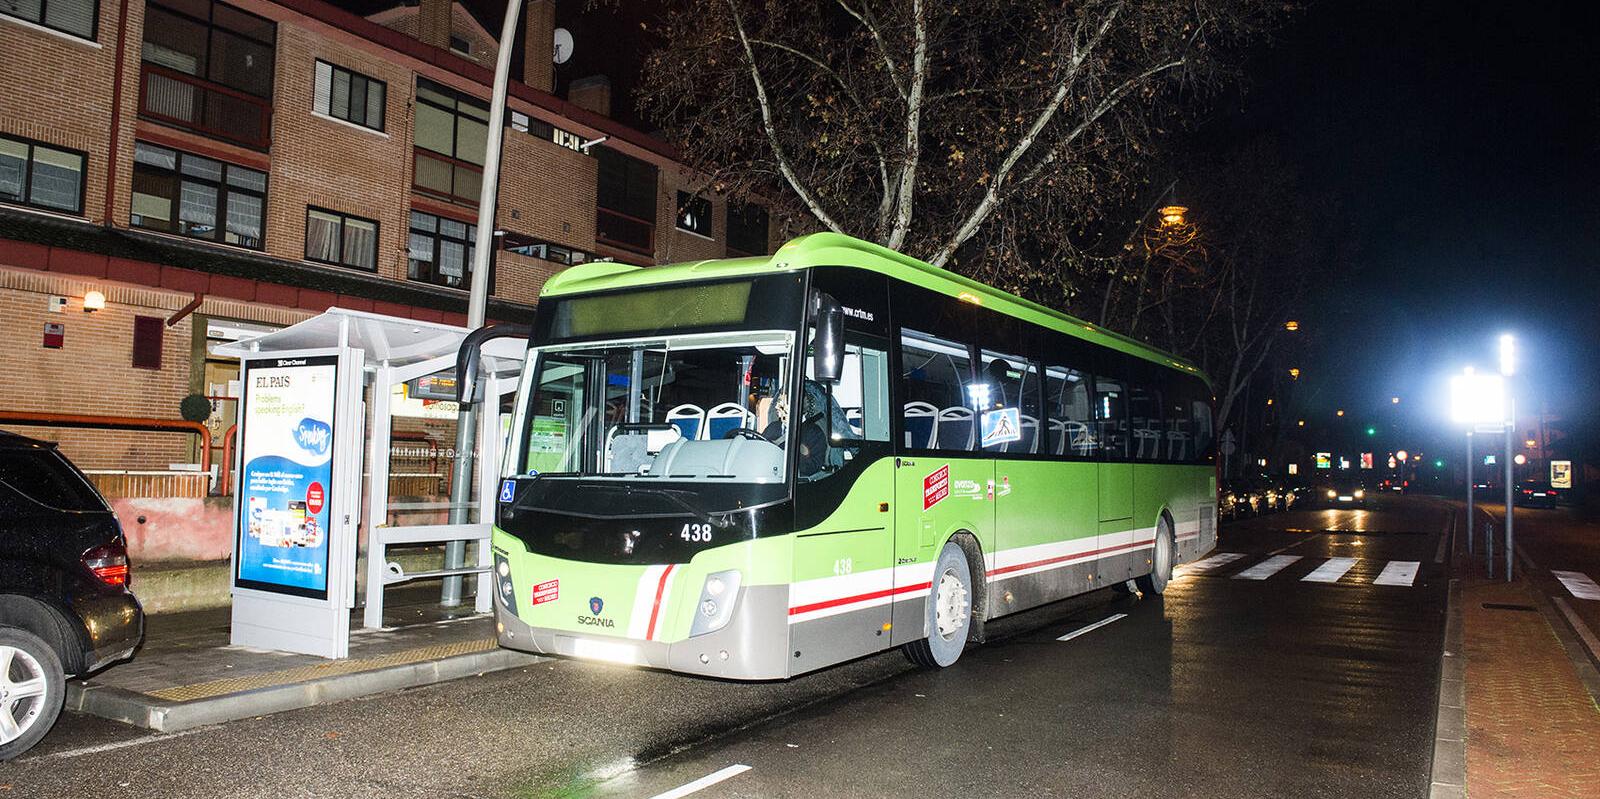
(1225,688)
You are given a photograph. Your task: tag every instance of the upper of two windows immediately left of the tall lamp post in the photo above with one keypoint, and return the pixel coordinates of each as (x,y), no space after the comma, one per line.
(452,137)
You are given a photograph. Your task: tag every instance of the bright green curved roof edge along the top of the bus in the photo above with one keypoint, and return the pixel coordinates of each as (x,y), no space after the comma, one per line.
(830,249)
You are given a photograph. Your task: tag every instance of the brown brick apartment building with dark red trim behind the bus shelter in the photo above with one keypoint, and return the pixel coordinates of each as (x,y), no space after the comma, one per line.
(223,169)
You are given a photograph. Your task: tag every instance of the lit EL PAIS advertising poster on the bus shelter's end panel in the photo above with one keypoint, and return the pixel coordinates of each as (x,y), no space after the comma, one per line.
(286,483)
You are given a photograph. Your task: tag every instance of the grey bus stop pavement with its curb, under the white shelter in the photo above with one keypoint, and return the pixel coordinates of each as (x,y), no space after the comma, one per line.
(190,677)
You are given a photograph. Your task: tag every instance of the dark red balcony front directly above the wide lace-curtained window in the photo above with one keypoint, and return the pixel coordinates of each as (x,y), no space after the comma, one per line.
(214,110)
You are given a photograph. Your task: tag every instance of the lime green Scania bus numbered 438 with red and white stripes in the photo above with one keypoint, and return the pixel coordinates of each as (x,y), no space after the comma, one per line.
(756,468)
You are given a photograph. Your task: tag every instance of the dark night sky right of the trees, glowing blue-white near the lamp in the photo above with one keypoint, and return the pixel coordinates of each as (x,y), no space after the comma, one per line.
(1462,145)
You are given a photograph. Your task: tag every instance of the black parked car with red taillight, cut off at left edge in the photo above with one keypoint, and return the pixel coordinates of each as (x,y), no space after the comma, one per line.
(65,601)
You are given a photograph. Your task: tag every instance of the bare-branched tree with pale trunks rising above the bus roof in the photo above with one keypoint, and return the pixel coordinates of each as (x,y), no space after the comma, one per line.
(938,129)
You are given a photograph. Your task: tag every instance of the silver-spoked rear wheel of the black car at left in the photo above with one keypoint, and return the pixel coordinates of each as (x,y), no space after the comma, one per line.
(33,688)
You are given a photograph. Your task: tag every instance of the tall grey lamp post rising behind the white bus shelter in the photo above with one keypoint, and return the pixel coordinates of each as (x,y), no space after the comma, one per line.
(478,303)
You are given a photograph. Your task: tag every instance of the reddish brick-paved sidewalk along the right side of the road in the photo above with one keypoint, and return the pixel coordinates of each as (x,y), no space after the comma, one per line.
(1532,726)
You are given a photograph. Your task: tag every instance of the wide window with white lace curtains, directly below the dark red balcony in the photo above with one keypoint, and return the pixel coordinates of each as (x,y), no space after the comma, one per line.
(188,195)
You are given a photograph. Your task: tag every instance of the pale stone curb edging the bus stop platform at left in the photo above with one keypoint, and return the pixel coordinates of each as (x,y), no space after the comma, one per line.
(142,710)
